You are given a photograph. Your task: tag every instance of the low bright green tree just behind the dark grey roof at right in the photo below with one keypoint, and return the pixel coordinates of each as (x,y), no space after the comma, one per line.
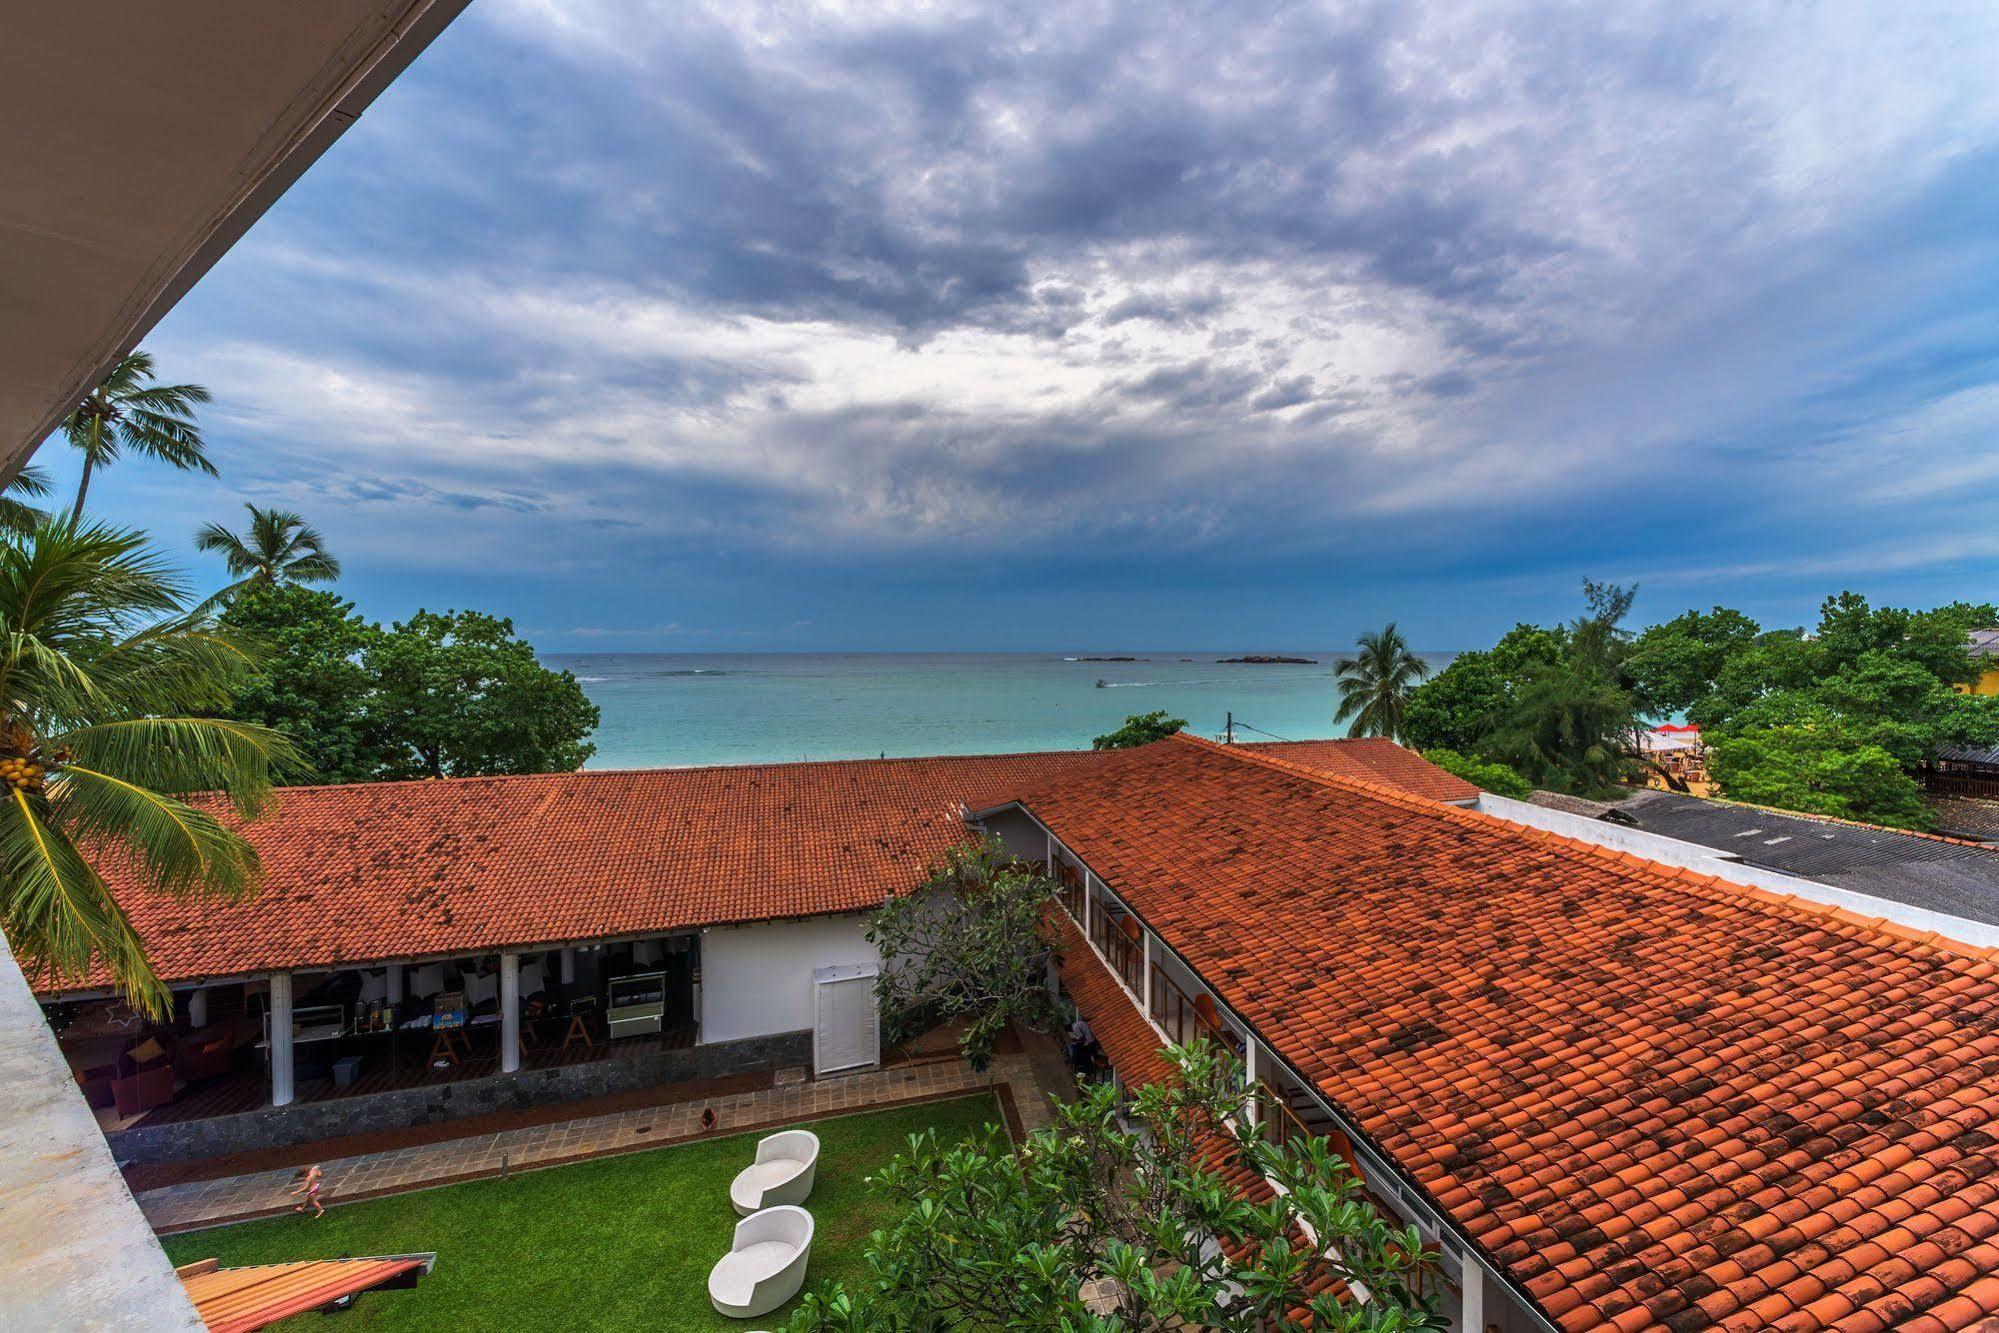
(1812,770)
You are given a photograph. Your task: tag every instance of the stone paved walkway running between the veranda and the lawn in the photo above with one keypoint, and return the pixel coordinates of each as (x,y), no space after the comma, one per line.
(349,1180)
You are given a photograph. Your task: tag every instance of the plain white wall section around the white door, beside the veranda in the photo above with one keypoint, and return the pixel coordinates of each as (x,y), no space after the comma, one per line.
(757,980)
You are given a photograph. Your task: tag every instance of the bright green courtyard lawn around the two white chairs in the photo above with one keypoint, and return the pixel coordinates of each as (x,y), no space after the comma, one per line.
(613,1244)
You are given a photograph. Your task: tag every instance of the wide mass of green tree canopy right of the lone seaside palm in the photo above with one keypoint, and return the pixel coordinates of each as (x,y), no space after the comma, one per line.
(1826,720)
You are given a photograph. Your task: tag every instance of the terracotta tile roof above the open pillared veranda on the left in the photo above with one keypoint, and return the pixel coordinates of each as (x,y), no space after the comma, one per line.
(415,868)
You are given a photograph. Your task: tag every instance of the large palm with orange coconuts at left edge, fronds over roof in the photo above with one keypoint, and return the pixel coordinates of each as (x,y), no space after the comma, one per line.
(103,682)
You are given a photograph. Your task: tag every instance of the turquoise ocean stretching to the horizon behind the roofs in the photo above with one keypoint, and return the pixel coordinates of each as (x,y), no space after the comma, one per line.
(669,710)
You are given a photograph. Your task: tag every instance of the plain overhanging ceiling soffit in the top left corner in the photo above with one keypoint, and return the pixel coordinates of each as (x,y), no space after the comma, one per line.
(143,139)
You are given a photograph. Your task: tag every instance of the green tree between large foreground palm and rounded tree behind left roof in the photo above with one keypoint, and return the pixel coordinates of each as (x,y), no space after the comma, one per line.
(313,684)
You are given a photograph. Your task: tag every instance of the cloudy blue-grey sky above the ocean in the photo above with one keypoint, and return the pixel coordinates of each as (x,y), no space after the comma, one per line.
(1090,325)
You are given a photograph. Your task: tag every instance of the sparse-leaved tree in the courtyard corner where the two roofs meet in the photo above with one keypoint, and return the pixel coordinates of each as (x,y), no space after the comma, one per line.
(971,946)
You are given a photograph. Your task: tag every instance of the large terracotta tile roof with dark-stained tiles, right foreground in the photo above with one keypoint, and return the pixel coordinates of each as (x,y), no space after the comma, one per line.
(1656,1100)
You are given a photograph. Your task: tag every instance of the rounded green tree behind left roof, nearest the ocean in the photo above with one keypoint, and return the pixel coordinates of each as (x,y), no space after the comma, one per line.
(459,694)
